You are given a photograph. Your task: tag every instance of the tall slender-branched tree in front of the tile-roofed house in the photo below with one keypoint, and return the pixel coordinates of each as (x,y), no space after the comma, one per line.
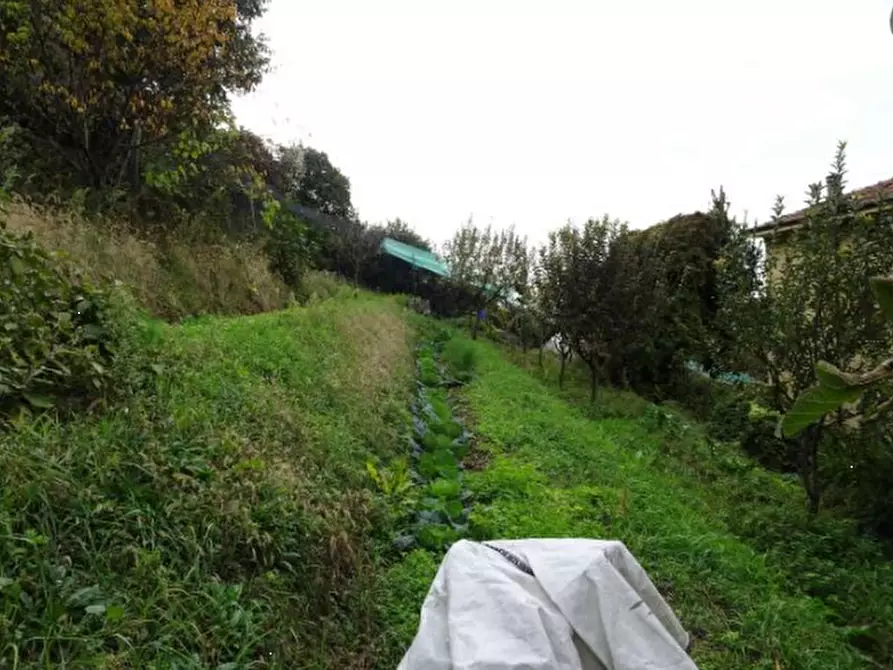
(815,305)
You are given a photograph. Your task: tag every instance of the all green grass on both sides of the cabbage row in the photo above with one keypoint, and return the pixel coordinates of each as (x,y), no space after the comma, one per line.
(223,516)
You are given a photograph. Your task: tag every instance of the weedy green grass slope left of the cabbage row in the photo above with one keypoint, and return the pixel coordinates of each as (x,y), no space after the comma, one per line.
(220,519)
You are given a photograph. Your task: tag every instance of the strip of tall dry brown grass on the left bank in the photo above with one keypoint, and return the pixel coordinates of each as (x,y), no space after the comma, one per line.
(171,276)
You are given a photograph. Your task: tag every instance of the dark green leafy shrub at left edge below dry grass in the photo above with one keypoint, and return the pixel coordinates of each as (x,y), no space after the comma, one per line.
(55,337)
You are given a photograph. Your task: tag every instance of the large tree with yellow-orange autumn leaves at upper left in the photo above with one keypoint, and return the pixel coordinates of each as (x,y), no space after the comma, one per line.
(92,82)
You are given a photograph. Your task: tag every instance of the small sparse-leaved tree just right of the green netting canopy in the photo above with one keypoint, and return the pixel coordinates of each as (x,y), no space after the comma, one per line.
(491,265)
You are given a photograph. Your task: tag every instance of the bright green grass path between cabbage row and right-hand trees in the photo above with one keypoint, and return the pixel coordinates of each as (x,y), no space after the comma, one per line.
(556,472)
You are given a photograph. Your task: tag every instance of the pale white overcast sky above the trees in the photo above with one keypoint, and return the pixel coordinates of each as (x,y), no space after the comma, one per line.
(533,113)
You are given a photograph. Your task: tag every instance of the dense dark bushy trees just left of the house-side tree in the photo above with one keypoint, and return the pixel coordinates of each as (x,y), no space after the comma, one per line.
(635,306)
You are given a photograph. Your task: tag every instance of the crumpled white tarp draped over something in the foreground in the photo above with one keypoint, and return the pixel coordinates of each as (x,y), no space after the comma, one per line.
(588,605)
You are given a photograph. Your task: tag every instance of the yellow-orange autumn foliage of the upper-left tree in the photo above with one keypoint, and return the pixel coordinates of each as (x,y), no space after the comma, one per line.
(152,63)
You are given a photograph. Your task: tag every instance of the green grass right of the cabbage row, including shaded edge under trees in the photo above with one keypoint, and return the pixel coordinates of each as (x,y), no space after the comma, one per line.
(756,582)
